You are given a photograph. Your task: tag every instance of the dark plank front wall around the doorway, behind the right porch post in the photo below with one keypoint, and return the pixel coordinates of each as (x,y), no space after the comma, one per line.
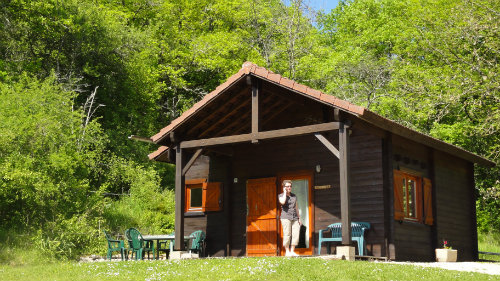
(271,158)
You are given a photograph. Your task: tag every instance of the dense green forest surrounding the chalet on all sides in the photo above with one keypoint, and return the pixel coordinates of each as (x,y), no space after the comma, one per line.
(79,76)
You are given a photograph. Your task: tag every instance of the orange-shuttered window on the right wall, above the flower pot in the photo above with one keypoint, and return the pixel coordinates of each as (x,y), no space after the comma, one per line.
(412,198)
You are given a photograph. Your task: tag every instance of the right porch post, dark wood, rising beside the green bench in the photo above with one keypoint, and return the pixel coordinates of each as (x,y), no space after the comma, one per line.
(345,184)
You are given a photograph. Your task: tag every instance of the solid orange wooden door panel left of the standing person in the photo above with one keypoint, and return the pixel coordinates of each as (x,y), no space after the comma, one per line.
(262,235)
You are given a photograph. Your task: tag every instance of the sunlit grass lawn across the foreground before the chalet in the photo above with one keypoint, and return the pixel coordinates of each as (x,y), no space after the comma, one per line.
(233,269)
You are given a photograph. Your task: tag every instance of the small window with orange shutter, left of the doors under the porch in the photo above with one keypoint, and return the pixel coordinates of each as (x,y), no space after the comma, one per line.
(202,196)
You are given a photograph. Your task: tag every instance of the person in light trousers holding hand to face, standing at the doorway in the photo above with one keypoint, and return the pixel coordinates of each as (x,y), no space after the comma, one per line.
(290,218)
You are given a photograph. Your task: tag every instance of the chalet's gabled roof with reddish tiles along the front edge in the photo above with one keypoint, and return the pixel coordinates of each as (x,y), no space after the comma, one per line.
(249,68)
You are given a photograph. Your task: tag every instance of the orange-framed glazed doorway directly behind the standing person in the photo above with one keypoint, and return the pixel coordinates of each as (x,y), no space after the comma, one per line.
(302,188)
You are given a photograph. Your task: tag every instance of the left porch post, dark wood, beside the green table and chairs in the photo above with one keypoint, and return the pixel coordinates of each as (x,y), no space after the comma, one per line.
(179,200)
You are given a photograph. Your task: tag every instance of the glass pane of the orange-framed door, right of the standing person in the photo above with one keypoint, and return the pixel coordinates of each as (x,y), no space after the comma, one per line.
(301,189)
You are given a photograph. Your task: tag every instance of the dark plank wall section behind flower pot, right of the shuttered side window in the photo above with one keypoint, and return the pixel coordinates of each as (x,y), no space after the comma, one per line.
(455,210)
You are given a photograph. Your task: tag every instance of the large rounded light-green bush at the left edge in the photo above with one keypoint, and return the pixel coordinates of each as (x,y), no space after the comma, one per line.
(43,152)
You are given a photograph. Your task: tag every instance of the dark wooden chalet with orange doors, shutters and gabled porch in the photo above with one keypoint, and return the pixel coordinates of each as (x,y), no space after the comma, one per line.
(234,147)
